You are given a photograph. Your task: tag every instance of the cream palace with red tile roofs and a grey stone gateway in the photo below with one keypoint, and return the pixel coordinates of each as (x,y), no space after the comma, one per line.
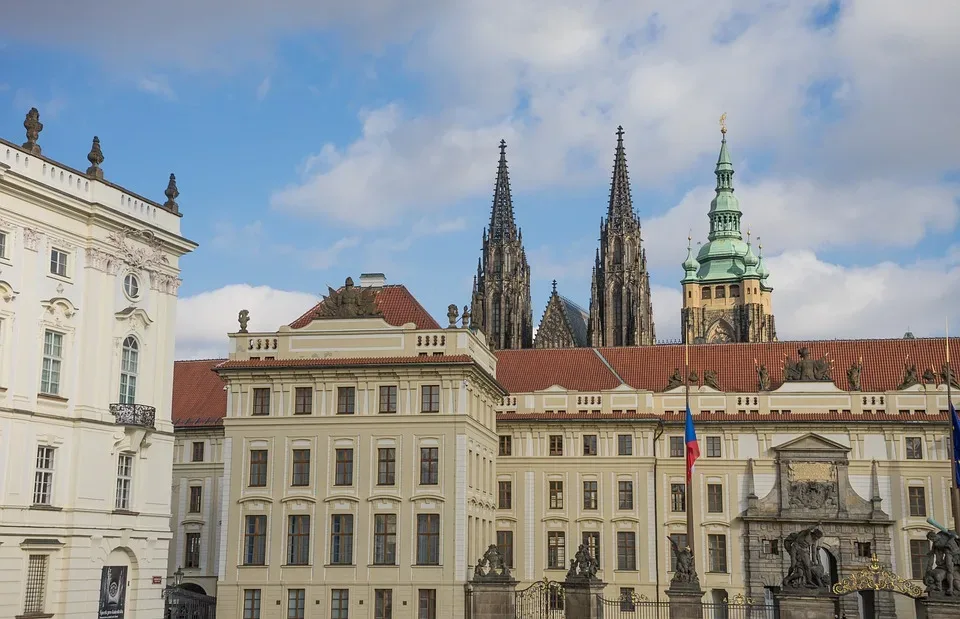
(369,456)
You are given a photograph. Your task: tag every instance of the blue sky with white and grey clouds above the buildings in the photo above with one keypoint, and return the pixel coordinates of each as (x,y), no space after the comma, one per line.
(315,139)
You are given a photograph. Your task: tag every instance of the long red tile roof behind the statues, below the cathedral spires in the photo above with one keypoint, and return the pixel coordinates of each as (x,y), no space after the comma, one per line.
(649,367)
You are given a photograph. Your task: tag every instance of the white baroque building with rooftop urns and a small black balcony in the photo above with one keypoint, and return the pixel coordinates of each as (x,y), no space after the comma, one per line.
(88,291)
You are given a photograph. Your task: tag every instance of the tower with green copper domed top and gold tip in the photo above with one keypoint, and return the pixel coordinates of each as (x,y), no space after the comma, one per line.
(726,297)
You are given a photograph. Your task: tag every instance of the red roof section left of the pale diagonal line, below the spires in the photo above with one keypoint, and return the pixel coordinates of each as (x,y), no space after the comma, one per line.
(533,369)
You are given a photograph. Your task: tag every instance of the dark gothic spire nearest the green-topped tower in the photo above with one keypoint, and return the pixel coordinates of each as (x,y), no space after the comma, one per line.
(621,313)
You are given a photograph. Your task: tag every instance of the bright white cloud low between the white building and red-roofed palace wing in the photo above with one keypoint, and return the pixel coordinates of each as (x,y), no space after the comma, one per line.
(204,319)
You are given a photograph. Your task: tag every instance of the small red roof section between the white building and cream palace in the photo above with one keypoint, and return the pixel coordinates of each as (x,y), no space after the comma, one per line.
(199,399)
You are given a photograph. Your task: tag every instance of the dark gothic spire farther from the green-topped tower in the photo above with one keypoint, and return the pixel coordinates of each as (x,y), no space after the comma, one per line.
(501,291)
